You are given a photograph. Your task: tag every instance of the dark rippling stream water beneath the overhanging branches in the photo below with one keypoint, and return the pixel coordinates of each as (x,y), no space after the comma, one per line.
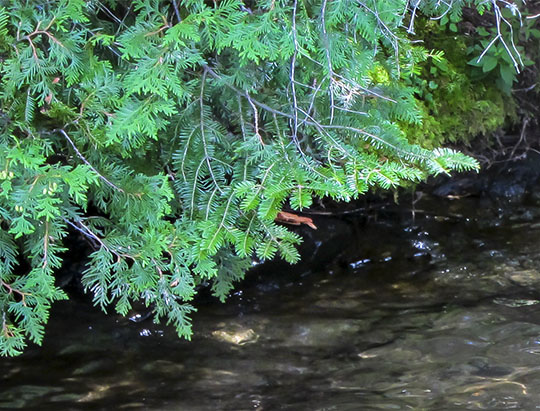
(440,313)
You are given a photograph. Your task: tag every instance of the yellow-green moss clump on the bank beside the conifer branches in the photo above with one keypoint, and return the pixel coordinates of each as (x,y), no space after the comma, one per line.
(456,104)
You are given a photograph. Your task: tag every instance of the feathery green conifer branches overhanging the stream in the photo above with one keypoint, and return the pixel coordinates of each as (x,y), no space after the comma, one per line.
(170,133)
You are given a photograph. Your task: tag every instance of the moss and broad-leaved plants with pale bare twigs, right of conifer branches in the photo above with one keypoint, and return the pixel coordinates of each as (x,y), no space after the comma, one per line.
(465,92)
